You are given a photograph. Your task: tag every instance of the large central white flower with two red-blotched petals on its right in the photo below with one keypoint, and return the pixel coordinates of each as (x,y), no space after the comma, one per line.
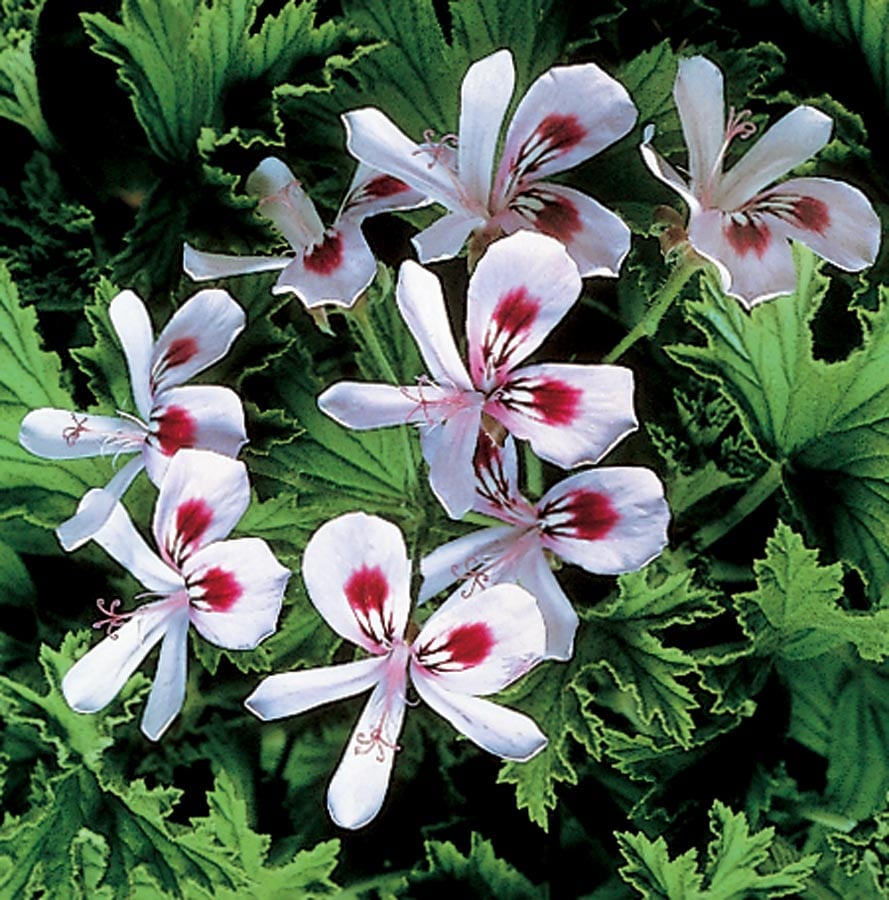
(520,290)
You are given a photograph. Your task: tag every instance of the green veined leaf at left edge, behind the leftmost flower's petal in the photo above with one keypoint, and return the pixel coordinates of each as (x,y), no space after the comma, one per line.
(35,493)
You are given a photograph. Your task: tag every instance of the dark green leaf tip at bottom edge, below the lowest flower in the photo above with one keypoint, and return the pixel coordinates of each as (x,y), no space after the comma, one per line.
(480,872)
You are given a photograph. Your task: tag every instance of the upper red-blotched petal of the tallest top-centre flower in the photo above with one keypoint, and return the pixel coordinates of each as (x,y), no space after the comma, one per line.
(569,114)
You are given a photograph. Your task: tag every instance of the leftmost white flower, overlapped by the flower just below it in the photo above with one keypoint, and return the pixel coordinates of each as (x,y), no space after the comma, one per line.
(169,416)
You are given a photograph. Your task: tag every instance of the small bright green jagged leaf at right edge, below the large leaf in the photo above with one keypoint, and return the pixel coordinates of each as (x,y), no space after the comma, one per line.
(799,599)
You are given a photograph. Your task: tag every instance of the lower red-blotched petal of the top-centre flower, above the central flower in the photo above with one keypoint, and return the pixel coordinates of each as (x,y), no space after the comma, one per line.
(596,238)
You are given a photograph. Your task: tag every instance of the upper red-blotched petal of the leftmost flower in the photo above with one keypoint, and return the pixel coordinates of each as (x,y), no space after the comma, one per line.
(199,333)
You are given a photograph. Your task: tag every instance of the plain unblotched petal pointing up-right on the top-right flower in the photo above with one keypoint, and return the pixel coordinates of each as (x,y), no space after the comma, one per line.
(790,141)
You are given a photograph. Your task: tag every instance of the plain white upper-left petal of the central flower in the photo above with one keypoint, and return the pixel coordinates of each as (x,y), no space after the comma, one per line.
(421,304)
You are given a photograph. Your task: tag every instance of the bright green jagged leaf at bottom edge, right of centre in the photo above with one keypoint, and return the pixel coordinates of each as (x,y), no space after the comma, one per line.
(735,857)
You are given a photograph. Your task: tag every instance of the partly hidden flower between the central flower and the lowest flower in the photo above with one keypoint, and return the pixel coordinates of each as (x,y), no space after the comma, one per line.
(607,521)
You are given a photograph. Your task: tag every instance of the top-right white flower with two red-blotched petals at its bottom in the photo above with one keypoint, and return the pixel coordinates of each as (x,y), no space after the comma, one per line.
(743,229)
